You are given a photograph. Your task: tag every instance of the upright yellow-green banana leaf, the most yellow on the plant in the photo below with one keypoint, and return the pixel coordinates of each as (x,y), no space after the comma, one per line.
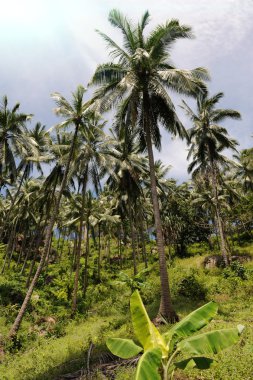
(145,331)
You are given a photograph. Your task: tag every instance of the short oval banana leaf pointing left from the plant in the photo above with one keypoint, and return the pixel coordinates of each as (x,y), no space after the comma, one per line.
(124,348)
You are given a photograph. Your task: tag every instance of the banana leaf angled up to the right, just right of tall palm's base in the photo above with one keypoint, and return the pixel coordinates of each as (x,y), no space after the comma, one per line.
(193,322)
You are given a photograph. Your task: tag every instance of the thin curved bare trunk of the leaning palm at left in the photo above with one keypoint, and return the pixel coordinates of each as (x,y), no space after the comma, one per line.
(49,230)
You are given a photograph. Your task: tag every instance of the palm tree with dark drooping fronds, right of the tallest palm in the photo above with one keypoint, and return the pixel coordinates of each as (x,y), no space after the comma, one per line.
(208,140)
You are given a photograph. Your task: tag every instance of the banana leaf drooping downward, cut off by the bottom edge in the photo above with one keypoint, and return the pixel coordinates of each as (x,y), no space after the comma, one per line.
(149,364)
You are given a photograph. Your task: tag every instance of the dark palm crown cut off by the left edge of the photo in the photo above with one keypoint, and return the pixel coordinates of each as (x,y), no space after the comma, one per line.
(12,139)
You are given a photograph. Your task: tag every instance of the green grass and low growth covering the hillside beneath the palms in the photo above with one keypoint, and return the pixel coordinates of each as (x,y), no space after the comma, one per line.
(105,312)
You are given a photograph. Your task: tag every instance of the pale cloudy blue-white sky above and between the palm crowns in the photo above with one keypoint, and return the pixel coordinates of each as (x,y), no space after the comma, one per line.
(52,45)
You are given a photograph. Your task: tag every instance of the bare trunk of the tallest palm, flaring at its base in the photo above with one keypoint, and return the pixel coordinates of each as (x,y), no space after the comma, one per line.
(166,308)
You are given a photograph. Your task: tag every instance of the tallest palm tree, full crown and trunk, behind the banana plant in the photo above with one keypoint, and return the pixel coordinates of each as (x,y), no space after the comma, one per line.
(138,80)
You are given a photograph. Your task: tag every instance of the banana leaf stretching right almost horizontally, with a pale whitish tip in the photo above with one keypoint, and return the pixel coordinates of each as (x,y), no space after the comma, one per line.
(210,342)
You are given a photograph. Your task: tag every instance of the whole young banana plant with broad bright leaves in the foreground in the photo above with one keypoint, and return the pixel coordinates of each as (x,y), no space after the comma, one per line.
(159,351)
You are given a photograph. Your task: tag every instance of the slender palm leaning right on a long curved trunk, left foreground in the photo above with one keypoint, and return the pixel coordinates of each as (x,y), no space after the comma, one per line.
(74,114)
